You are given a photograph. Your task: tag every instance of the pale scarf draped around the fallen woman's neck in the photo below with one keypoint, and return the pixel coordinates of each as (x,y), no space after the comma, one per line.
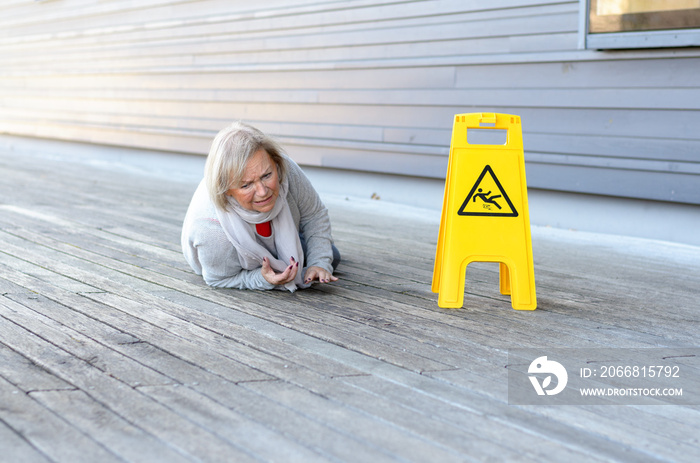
(236,222)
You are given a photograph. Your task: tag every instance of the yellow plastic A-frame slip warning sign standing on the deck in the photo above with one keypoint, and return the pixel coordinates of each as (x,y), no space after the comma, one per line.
(485,215)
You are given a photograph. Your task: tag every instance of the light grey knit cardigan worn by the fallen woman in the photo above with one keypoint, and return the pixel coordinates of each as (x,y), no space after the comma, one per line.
(212,255)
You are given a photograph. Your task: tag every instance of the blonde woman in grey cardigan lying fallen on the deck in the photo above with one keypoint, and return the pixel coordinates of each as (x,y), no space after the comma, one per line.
(255,221)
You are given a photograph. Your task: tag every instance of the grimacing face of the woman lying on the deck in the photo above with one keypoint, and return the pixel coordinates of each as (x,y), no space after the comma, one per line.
(259,187)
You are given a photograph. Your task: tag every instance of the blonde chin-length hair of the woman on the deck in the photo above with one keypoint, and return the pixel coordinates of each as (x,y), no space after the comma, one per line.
(228,156)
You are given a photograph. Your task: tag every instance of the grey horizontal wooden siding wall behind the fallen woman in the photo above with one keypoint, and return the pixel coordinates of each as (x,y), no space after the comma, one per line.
(362,85)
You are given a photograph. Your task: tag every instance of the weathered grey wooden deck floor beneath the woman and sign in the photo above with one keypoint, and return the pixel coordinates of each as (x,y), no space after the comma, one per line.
(112,350)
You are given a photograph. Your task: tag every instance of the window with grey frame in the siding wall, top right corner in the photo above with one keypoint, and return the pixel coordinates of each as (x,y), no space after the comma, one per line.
(640,23)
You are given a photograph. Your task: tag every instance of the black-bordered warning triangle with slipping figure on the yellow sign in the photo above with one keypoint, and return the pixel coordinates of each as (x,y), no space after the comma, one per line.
(484,200)
